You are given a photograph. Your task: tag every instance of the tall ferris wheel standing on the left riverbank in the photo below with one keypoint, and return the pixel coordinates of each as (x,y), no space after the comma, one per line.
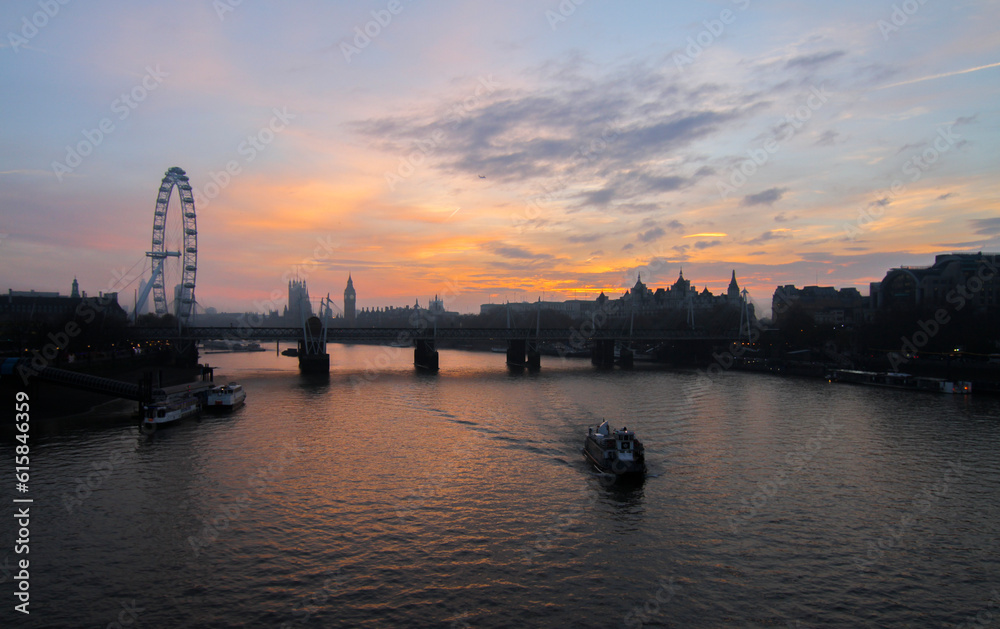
(174,251)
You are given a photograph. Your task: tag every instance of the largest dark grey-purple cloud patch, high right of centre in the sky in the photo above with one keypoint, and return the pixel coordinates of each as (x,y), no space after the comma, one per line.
(605,140)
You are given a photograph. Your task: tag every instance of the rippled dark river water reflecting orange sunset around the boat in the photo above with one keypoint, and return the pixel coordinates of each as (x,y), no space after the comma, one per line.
(383,497)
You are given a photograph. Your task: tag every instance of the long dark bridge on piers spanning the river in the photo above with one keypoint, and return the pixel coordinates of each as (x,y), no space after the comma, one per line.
(522,343)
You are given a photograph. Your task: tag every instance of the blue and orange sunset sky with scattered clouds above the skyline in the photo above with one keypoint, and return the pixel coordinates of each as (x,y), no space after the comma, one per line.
(495,151)
